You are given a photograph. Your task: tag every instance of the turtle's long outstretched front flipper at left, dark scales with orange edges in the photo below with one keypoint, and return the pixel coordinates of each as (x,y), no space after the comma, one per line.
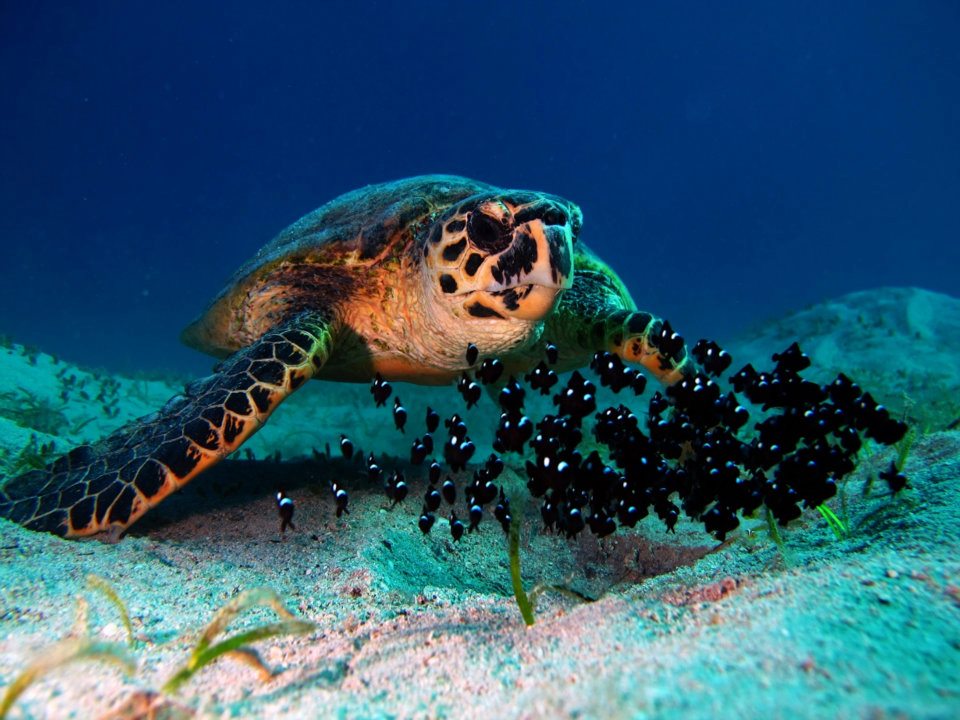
(107,486)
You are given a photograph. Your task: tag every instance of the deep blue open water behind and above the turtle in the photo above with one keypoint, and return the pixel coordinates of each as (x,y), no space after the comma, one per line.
(733,161)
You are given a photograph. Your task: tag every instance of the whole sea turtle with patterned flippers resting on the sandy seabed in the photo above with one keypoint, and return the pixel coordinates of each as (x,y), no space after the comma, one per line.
(395,279)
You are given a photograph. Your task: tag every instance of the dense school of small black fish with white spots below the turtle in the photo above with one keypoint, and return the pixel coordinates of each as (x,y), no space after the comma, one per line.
(684,456)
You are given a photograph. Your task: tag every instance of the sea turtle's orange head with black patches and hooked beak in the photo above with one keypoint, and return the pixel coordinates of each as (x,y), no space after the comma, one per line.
(503,255)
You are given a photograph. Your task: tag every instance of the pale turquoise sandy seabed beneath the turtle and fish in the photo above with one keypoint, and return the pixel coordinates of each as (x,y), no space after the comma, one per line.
(642,624)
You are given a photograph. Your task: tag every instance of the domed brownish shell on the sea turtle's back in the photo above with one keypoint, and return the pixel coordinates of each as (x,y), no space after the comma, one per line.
(357,228)
